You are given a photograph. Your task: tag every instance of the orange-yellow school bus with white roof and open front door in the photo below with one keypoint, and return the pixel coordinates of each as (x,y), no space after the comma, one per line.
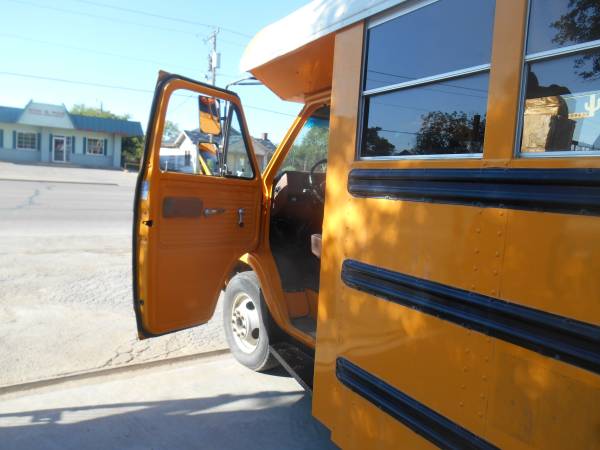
(423,248)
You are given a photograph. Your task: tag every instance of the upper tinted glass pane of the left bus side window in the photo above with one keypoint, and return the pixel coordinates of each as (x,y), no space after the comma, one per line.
(444,36)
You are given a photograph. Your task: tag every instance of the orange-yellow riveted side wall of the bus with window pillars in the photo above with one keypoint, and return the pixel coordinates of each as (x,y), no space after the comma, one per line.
(392,372)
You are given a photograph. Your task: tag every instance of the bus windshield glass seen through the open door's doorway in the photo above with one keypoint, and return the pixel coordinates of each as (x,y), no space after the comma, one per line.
(310,146)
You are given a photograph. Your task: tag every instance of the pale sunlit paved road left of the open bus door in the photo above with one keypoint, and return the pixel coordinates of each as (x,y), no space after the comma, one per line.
(65,277)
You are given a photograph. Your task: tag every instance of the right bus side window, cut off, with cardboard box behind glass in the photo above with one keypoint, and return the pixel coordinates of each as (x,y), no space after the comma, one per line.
(561,104)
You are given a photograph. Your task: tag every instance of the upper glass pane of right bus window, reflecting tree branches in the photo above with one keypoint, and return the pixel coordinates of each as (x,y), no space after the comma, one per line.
(559,23)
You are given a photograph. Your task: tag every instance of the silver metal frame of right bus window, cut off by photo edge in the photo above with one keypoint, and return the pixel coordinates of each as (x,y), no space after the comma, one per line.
(545,55)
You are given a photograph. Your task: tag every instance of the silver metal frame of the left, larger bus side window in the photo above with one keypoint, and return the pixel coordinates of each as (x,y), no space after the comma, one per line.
(398,11)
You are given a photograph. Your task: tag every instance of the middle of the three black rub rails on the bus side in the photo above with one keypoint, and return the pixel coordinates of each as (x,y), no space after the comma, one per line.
(571,341)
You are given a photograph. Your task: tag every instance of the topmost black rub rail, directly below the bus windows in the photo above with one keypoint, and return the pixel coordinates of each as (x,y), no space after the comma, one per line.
(569,191)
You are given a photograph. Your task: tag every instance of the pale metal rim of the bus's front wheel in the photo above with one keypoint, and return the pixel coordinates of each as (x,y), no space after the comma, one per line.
(245,323)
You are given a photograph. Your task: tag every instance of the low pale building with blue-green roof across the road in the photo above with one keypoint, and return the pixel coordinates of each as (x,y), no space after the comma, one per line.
(49,134)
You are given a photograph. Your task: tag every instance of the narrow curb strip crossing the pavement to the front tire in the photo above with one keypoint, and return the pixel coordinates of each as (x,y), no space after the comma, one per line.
(89,374)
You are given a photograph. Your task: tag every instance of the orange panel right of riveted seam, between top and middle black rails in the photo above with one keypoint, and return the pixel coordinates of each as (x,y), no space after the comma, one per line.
(552,263)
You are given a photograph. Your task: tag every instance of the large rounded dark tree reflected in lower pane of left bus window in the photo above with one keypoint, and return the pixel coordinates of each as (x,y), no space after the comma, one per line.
(443,132)
